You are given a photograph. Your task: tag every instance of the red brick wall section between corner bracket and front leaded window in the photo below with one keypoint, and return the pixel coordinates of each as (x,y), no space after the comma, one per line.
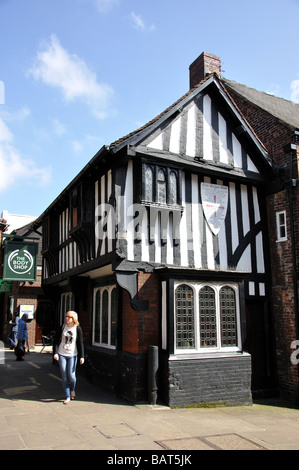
(141,329)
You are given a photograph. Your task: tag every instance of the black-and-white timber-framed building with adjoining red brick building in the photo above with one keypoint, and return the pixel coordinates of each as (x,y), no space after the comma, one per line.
(183,235)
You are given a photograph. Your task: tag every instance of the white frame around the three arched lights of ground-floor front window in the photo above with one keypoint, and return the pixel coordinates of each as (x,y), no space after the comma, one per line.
(196,286)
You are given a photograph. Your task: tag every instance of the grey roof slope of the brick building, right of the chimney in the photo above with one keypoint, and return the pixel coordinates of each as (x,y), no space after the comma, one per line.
(286,111)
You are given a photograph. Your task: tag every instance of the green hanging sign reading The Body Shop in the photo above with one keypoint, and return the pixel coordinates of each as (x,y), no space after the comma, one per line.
(20,261)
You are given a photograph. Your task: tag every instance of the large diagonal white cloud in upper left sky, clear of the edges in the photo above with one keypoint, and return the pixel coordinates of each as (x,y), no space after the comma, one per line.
(57,68)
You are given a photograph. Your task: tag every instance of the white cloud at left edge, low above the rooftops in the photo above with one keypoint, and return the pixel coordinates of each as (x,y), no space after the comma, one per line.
(15,169)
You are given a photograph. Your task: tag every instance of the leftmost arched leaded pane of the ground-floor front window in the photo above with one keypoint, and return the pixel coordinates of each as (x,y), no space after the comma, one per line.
(184,306)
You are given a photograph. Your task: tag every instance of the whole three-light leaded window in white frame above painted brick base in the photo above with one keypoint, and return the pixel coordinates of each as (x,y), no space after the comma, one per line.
(207,317)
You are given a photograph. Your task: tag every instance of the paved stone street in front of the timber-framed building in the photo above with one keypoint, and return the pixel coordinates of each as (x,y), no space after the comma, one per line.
(32,416)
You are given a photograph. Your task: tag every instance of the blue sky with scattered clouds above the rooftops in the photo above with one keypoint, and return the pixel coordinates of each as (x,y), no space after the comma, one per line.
(78,74)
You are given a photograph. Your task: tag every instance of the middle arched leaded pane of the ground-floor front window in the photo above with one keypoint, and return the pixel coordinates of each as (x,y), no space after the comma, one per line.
(207,317)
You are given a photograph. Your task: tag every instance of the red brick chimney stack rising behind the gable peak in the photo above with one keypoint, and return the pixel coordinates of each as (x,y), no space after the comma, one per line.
(205,64)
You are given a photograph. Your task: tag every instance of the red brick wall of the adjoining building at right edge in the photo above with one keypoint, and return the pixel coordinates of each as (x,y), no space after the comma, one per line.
(275,135)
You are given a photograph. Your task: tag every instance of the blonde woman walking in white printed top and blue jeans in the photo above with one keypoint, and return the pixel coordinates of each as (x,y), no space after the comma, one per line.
(67,346)
